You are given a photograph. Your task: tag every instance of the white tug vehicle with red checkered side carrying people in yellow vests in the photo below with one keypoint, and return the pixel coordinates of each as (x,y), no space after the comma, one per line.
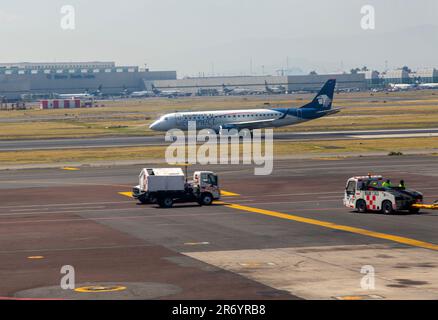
(369,193)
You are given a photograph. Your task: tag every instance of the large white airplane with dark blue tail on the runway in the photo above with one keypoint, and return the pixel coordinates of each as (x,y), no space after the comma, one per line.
(251,119)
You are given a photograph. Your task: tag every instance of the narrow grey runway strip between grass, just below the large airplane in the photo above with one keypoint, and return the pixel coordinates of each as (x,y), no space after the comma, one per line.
(18,145)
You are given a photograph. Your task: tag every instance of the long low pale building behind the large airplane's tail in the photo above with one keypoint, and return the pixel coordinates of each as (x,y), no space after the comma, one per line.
(292,83)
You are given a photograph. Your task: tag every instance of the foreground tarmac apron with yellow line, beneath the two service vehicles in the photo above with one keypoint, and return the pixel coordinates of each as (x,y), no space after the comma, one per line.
(283,236)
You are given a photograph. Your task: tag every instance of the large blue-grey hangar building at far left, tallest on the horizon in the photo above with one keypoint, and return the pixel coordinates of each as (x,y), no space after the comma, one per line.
(17,79)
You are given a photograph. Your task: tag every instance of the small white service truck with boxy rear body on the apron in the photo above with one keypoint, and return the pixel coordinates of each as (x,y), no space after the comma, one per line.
(165,186)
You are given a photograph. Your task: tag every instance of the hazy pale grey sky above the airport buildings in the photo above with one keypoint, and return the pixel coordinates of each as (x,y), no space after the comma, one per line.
(223,36)
